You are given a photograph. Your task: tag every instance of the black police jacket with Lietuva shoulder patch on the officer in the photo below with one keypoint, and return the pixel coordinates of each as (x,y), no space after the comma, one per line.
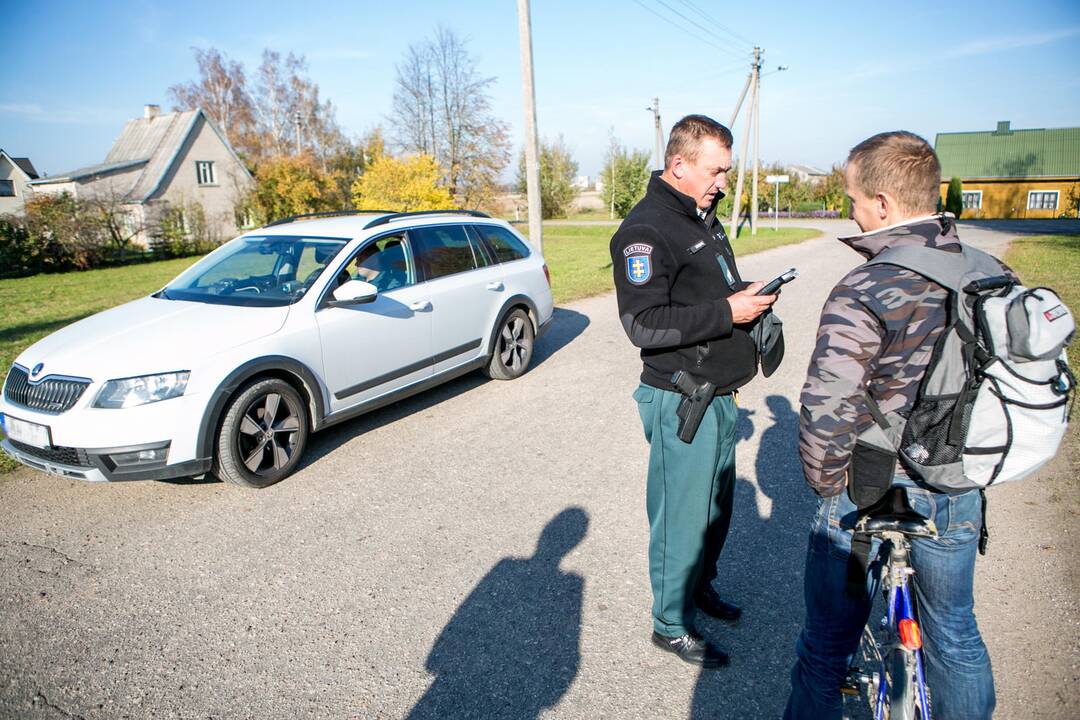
(673,273)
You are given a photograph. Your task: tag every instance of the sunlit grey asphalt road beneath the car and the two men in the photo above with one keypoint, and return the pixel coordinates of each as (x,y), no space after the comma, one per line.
(476,552)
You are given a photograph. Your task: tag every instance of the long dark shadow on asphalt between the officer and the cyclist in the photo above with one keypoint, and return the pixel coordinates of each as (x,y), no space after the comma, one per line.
(761,570)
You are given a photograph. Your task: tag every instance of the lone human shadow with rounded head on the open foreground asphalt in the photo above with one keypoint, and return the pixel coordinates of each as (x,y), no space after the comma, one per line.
(512,649)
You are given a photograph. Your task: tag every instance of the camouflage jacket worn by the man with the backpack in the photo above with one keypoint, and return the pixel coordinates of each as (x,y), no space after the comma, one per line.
(877,334)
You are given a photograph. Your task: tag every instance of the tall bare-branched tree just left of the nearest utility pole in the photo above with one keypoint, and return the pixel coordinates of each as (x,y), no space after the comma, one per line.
(442,108)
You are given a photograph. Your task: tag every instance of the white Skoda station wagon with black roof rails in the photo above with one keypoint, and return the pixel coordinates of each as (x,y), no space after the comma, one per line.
(280,333)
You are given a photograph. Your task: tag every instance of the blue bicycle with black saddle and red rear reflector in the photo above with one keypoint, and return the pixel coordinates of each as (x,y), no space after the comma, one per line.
(887,672)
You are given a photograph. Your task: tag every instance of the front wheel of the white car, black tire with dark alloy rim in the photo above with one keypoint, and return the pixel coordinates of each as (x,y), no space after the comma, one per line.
(253,452)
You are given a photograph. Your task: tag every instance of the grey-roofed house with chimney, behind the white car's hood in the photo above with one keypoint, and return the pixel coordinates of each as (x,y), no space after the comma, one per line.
(164,160)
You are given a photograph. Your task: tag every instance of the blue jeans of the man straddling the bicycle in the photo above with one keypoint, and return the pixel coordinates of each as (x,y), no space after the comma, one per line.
(957,664)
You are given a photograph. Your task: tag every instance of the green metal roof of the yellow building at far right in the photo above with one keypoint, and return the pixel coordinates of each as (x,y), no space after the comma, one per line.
(1041,153)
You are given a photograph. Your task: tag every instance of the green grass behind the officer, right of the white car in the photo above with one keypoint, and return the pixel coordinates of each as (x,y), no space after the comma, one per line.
(580,263)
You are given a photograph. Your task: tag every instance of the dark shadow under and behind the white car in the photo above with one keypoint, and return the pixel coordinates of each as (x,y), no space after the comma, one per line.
(566,325)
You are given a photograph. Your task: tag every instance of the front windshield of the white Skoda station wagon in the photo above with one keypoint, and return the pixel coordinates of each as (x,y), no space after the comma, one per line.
(258,271)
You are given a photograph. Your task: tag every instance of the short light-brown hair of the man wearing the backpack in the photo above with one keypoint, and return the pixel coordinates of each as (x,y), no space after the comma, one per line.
(901,165)
